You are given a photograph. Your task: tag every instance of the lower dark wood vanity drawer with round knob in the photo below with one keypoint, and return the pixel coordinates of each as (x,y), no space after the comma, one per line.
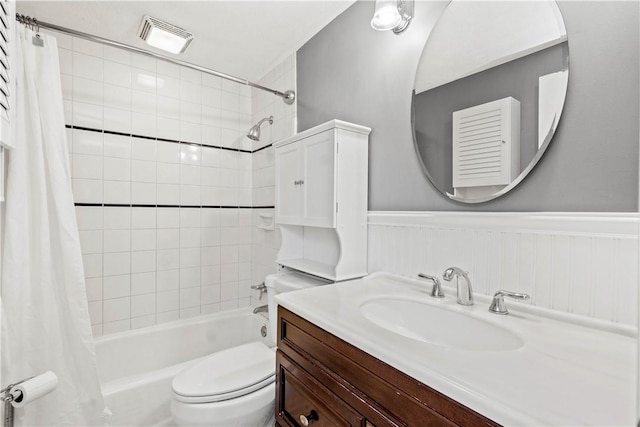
(301,398)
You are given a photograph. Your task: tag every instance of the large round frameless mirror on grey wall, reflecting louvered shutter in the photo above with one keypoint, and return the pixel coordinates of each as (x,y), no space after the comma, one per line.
(488,95)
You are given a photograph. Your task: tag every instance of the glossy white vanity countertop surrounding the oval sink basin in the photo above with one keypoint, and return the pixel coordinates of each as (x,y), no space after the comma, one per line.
(570,371)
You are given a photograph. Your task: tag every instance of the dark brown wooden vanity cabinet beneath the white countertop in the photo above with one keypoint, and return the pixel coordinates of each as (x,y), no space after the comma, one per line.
(332,383)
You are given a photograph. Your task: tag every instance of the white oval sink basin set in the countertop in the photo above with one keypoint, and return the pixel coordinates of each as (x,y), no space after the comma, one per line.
(438,325)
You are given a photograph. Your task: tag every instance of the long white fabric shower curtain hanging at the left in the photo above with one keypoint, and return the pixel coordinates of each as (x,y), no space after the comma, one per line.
(45,323)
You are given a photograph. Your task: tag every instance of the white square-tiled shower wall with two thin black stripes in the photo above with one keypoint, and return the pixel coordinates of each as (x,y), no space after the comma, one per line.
(162,178)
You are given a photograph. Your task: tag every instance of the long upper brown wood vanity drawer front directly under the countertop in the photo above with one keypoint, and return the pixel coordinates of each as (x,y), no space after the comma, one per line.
(384,395)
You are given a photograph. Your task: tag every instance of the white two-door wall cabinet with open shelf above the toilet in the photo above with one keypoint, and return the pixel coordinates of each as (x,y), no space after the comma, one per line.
(321,200)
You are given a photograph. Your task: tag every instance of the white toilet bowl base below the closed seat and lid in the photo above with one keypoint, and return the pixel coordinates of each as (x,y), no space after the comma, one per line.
(255,409)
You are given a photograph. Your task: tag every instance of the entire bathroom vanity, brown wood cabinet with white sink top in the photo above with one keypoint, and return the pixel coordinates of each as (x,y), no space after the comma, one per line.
(380,351)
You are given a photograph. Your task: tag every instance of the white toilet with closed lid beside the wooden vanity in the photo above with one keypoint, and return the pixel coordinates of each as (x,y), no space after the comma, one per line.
(235,387)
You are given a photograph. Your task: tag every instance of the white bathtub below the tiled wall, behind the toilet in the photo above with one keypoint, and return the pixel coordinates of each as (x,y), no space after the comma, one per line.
(136,367)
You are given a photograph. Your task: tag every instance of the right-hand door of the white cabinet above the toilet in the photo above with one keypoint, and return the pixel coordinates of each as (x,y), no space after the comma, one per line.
(319,183)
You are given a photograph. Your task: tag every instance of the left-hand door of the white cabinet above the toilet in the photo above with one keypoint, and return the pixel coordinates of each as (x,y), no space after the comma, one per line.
(288,187)
